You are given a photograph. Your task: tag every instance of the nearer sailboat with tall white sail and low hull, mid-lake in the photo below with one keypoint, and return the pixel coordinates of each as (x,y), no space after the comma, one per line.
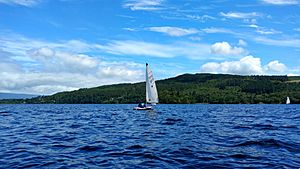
(151,91)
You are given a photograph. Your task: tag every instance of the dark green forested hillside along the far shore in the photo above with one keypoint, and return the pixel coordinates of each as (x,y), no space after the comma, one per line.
(187,88)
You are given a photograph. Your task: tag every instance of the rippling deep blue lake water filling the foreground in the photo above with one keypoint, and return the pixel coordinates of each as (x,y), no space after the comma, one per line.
(172,136)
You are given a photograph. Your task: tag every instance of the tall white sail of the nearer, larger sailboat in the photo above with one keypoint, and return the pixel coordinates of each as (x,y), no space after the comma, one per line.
(151,91)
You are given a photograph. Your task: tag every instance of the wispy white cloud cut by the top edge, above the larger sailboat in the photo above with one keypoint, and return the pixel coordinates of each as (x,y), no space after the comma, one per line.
(145,5)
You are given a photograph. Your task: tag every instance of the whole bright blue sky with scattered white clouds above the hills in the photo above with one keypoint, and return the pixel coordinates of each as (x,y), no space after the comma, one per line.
(48,46)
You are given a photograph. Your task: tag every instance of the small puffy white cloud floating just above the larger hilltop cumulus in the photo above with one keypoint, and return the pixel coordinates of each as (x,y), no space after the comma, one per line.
(224,48)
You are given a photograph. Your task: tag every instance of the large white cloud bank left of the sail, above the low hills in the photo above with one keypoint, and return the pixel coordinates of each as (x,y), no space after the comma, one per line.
(53,67)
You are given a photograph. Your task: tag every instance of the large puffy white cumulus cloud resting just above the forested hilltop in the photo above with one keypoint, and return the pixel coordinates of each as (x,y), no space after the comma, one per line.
(248,65)
